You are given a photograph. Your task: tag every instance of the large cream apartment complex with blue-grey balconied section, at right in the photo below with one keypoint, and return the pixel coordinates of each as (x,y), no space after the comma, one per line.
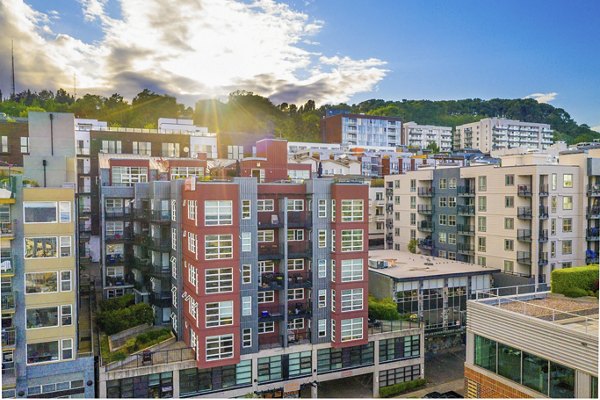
(527,217)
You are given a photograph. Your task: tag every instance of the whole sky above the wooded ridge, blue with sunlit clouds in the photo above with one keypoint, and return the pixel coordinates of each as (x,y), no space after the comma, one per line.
(329,50)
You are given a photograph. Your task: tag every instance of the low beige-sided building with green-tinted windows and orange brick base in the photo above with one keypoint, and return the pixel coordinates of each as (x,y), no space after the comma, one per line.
(531,346)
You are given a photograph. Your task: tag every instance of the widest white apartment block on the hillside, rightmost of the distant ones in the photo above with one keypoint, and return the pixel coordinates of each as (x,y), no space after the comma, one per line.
(497,133)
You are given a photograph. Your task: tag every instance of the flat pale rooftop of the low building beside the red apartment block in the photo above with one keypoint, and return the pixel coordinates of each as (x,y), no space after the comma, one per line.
(407,266)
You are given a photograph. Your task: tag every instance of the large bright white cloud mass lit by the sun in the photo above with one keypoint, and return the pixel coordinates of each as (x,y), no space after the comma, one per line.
(199,49)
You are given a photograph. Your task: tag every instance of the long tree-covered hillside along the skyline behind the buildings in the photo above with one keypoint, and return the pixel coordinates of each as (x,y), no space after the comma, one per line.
(248,112)
